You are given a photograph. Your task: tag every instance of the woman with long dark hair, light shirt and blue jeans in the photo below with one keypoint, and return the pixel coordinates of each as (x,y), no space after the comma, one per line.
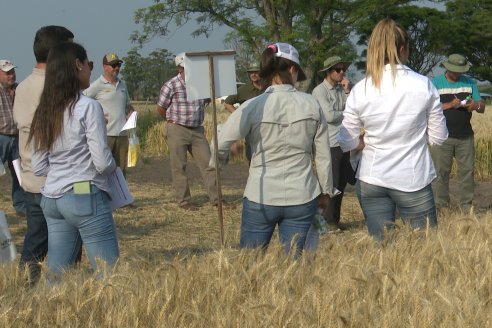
(68,134)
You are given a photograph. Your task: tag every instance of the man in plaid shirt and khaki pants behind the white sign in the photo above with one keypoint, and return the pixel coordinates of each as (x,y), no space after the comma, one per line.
(185,133)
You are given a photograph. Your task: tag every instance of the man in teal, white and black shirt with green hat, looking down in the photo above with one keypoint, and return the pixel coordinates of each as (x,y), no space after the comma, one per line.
(460,98)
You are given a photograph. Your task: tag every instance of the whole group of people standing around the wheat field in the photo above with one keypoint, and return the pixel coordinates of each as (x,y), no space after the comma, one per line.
(303,149)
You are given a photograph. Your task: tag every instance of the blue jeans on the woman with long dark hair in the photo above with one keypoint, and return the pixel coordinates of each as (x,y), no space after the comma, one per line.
(74,218)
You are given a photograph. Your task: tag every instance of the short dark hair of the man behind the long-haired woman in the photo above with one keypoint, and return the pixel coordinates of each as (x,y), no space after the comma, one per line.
(46,38)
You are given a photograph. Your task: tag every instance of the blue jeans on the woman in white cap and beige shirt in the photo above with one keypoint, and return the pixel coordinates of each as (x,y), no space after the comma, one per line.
(259,221)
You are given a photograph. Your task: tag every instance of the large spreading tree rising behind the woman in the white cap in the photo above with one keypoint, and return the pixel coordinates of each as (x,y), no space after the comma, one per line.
(318,28)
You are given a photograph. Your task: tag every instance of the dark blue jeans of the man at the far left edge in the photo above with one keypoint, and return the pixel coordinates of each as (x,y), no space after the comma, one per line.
(9,151)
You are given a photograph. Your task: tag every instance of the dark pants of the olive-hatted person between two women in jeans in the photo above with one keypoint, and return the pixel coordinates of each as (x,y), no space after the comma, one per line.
(340,162)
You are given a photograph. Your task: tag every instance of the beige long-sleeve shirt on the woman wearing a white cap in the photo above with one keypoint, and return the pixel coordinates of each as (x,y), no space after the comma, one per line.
(282,126)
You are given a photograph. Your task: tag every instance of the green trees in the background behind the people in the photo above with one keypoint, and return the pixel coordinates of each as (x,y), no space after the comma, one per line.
(318,29)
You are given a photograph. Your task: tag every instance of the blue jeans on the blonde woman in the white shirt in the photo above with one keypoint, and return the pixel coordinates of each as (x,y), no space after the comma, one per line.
(379,204)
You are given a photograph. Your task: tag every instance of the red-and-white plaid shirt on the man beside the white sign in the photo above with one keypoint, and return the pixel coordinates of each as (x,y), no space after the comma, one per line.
(178,109)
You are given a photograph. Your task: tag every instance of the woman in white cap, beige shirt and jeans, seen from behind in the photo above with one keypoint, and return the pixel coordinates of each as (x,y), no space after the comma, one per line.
(283,126)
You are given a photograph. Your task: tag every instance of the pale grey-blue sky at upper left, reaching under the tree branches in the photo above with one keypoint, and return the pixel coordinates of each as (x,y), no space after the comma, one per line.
(101,26)
